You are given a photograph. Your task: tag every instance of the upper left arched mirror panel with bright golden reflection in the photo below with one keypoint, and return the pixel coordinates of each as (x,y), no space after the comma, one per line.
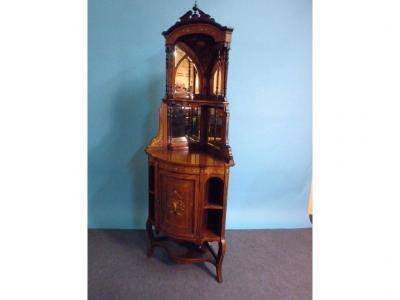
(186,75)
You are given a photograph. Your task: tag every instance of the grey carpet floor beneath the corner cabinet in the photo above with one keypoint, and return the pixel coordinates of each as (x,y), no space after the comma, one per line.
(259,264)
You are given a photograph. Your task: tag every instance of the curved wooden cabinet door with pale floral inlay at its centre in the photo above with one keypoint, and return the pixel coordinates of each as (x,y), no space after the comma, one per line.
(178,202)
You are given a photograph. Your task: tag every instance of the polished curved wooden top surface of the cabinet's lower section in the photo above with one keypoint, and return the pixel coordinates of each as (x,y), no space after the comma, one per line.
(191,158)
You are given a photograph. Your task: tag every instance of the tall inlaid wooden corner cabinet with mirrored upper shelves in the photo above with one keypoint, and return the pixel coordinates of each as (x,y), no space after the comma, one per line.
(190,157)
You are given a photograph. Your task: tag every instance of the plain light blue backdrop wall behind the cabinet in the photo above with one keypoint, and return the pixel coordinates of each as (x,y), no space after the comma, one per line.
(269,89)
